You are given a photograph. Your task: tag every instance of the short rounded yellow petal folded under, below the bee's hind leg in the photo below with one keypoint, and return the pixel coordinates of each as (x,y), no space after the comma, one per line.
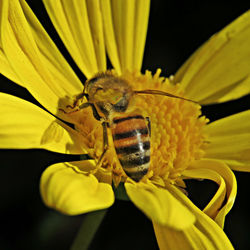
(72,193)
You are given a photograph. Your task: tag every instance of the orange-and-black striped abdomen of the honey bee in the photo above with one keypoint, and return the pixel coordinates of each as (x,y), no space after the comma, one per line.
(132,144)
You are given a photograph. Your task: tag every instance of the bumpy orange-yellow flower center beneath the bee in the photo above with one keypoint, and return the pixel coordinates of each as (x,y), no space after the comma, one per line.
(176,130)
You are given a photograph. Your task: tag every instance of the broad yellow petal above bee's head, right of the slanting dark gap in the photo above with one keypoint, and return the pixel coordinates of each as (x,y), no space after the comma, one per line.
(79,25)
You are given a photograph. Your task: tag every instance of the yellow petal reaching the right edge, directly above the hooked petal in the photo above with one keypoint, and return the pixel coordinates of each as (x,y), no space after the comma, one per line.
(229,141)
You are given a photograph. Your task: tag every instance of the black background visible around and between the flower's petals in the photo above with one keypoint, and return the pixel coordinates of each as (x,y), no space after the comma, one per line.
(176,29)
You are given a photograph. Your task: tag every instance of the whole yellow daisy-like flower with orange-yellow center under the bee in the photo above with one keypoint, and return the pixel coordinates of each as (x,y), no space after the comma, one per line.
(183,144)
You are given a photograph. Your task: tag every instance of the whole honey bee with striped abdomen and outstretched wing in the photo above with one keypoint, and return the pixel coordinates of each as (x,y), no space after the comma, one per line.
(110,98)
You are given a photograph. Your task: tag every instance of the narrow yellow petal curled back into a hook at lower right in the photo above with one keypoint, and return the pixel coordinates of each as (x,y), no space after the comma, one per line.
(223,200)
